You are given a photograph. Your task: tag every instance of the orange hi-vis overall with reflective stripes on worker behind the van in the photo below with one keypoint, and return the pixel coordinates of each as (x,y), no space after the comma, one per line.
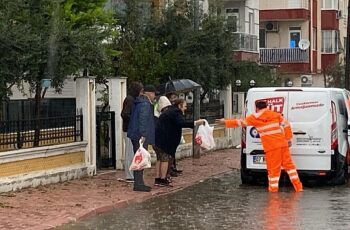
(275,132)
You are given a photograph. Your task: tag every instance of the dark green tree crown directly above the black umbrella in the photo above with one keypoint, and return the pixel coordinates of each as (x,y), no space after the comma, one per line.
(207,55)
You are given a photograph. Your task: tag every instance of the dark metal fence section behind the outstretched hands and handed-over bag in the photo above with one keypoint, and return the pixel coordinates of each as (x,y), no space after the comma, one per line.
(210,112)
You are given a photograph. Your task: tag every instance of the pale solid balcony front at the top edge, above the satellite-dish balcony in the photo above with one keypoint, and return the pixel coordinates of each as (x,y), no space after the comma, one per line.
(285,4)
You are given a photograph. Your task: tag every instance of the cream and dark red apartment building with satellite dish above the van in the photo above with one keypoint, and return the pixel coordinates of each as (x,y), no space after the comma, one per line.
(320,25)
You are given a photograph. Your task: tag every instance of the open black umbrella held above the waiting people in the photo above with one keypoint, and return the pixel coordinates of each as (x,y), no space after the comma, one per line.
(178,85)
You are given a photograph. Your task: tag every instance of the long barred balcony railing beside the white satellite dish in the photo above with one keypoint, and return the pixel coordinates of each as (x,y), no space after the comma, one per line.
(283,55)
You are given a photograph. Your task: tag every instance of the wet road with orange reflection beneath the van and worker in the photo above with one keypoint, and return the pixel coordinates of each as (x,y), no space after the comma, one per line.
(222,203)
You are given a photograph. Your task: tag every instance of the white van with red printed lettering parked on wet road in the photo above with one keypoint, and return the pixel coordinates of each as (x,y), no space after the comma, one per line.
(319,120)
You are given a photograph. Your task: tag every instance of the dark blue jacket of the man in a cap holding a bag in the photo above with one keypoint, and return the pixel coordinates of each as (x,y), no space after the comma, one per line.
(142,121)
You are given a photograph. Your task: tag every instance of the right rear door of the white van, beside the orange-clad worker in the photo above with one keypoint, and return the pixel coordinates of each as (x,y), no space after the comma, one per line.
(310,114)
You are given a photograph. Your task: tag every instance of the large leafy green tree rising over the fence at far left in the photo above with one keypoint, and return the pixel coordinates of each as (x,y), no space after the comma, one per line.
(51,39)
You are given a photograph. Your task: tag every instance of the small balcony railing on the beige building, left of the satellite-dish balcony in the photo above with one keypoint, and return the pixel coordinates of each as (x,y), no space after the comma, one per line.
(245,42)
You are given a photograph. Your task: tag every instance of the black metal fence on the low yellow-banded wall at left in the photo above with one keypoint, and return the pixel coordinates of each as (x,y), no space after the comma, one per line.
(17,134)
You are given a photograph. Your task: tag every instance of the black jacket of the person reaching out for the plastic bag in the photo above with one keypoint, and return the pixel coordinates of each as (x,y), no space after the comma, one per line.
(169,130)
